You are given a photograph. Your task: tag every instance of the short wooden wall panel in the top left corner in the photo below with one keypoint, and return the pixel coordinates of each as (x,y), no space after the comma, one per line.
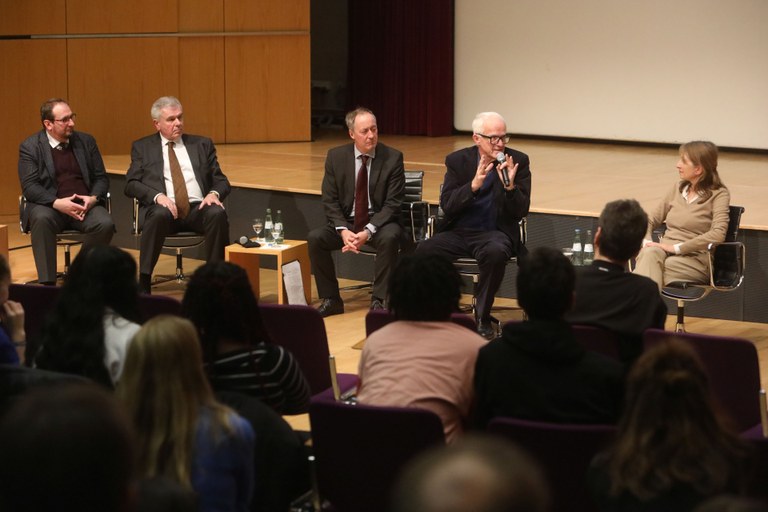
(32,17)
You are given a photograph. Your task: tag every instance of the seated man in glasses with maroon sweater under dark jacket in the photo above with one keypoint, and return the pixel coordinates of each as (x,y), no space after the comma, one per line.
(63,178)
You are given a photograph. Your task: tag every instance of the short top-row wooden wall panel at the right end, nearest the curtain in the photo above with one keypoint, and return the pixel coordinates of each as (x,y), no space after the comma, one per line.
(252,15)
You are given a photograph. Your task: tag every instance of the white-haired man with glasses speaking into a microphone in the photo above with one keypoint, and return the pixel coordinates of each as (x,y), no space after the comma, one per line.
(483,208)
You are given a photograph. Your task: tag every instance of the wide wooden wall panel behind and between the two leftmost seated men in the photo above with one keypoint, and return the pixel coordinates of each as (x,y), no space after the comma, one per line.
(113,83)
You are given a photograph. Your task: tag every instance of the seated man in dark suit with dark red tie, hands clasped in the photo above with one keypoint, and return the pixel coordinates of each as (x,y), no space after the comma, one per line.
(362,191)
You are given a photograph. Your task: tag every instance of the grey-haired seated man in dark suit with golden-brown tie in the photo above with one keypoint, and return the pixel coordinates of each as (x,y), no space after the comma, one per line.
(179,185)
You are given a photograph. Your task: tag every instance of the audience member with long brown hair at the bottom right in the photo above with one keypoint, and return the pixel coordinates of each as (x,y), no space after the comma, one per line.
(672,450)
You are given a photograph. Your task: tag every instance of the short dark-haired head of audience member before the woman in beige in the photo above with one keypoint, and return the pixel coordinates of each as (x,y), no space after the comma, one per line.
(620,230)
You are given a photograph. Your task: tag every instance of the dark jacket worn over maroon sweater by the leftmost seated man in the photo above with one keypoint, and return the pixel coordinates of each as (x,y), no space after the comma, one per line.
(37,174)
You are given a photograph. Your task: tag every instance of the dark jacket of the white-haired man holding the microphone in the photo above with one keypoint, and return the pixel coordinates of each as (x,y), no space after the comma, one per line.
(511,207)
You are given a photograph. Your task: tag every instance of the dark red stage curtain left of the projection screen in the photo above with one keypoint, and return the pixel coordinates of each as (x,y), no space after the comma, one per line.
(401,64)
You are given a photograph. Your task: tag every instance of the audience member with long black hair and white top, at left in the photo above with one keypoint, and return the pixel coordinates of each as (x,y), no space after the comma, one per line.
(95,317)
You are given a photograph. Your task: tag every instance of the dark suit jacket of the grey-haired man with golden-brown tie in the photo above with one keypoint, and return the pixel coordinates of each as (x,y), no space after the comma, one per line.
(145,176)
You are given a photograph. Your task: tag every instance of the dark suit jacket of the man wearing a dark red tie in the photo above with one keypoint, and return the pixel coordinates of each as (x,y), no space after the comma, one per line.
(386,185)
